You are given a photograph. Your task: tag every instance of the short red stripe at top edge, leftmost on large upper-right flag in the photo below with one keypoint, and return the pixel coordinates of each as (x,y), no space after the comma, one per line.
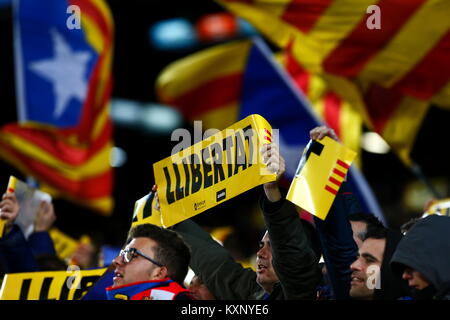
(303,14)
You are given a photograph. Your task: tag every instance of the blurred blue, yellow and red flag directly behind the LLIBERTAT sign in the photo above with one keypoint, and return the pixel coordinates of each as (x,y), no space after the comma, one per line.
(260,86)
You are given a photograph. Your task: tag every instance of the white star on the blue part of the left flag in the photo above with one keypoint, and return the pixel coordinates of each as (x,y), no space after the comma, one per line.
(66,71)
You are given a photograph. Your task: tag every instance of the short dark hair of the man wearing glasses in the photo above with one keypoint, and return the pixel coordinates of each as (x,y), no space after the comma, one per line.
(172,251)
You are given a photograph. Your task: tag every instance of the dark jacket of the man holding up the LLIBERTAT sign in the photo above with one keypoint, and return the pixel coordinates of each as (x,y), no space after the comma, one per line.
(294,260)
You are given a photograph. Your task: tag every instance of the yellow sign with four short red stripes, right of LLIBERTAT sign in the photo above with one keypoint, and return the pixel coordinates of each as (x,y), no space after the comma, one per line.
(319,175)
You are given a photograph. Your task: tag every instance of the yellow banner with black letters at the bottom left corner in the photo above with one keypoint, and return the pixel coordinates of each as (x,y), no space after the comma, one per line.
(49,285)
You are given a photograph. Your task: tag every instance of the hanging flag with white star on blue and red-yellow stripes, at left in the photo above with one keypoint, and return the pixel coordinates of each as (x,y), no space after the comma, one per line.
(63,53)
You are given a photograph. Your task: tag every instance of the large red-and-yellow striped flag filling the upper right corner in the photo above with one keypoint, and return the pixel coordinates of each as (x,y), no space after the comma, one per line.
(390,74)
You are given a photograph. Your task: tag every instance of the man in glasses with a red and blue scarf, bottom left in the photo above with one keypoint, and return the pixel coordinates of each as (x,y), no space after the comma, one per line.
(152,266)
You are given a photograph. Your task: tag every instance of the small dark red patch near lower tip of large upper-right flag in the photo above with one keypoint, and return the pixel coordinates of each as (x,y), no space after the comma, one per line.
(381,104)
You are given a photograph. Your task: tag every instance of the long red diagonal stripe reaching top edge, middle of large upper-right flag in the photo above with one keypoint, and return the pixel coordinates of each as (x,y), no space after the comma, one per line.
(353,53)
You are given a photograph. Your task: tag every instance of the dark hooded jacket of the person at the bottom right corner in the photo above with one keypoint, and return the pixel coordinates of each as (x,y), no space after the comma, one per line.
(426,249)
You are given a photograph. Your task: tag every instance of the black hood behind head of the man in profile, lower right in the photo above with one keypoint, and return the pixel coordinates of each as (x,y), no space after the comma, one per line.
(392,287)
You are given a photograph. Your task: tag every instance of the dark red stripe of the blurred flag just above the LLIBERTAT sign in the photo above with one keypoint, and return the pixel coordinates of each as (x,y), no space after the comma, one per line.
(209,96)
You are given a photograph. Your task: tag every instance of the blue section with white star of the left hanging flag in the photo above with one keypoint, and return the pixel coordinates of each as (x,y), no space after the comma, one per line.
(53,63)
